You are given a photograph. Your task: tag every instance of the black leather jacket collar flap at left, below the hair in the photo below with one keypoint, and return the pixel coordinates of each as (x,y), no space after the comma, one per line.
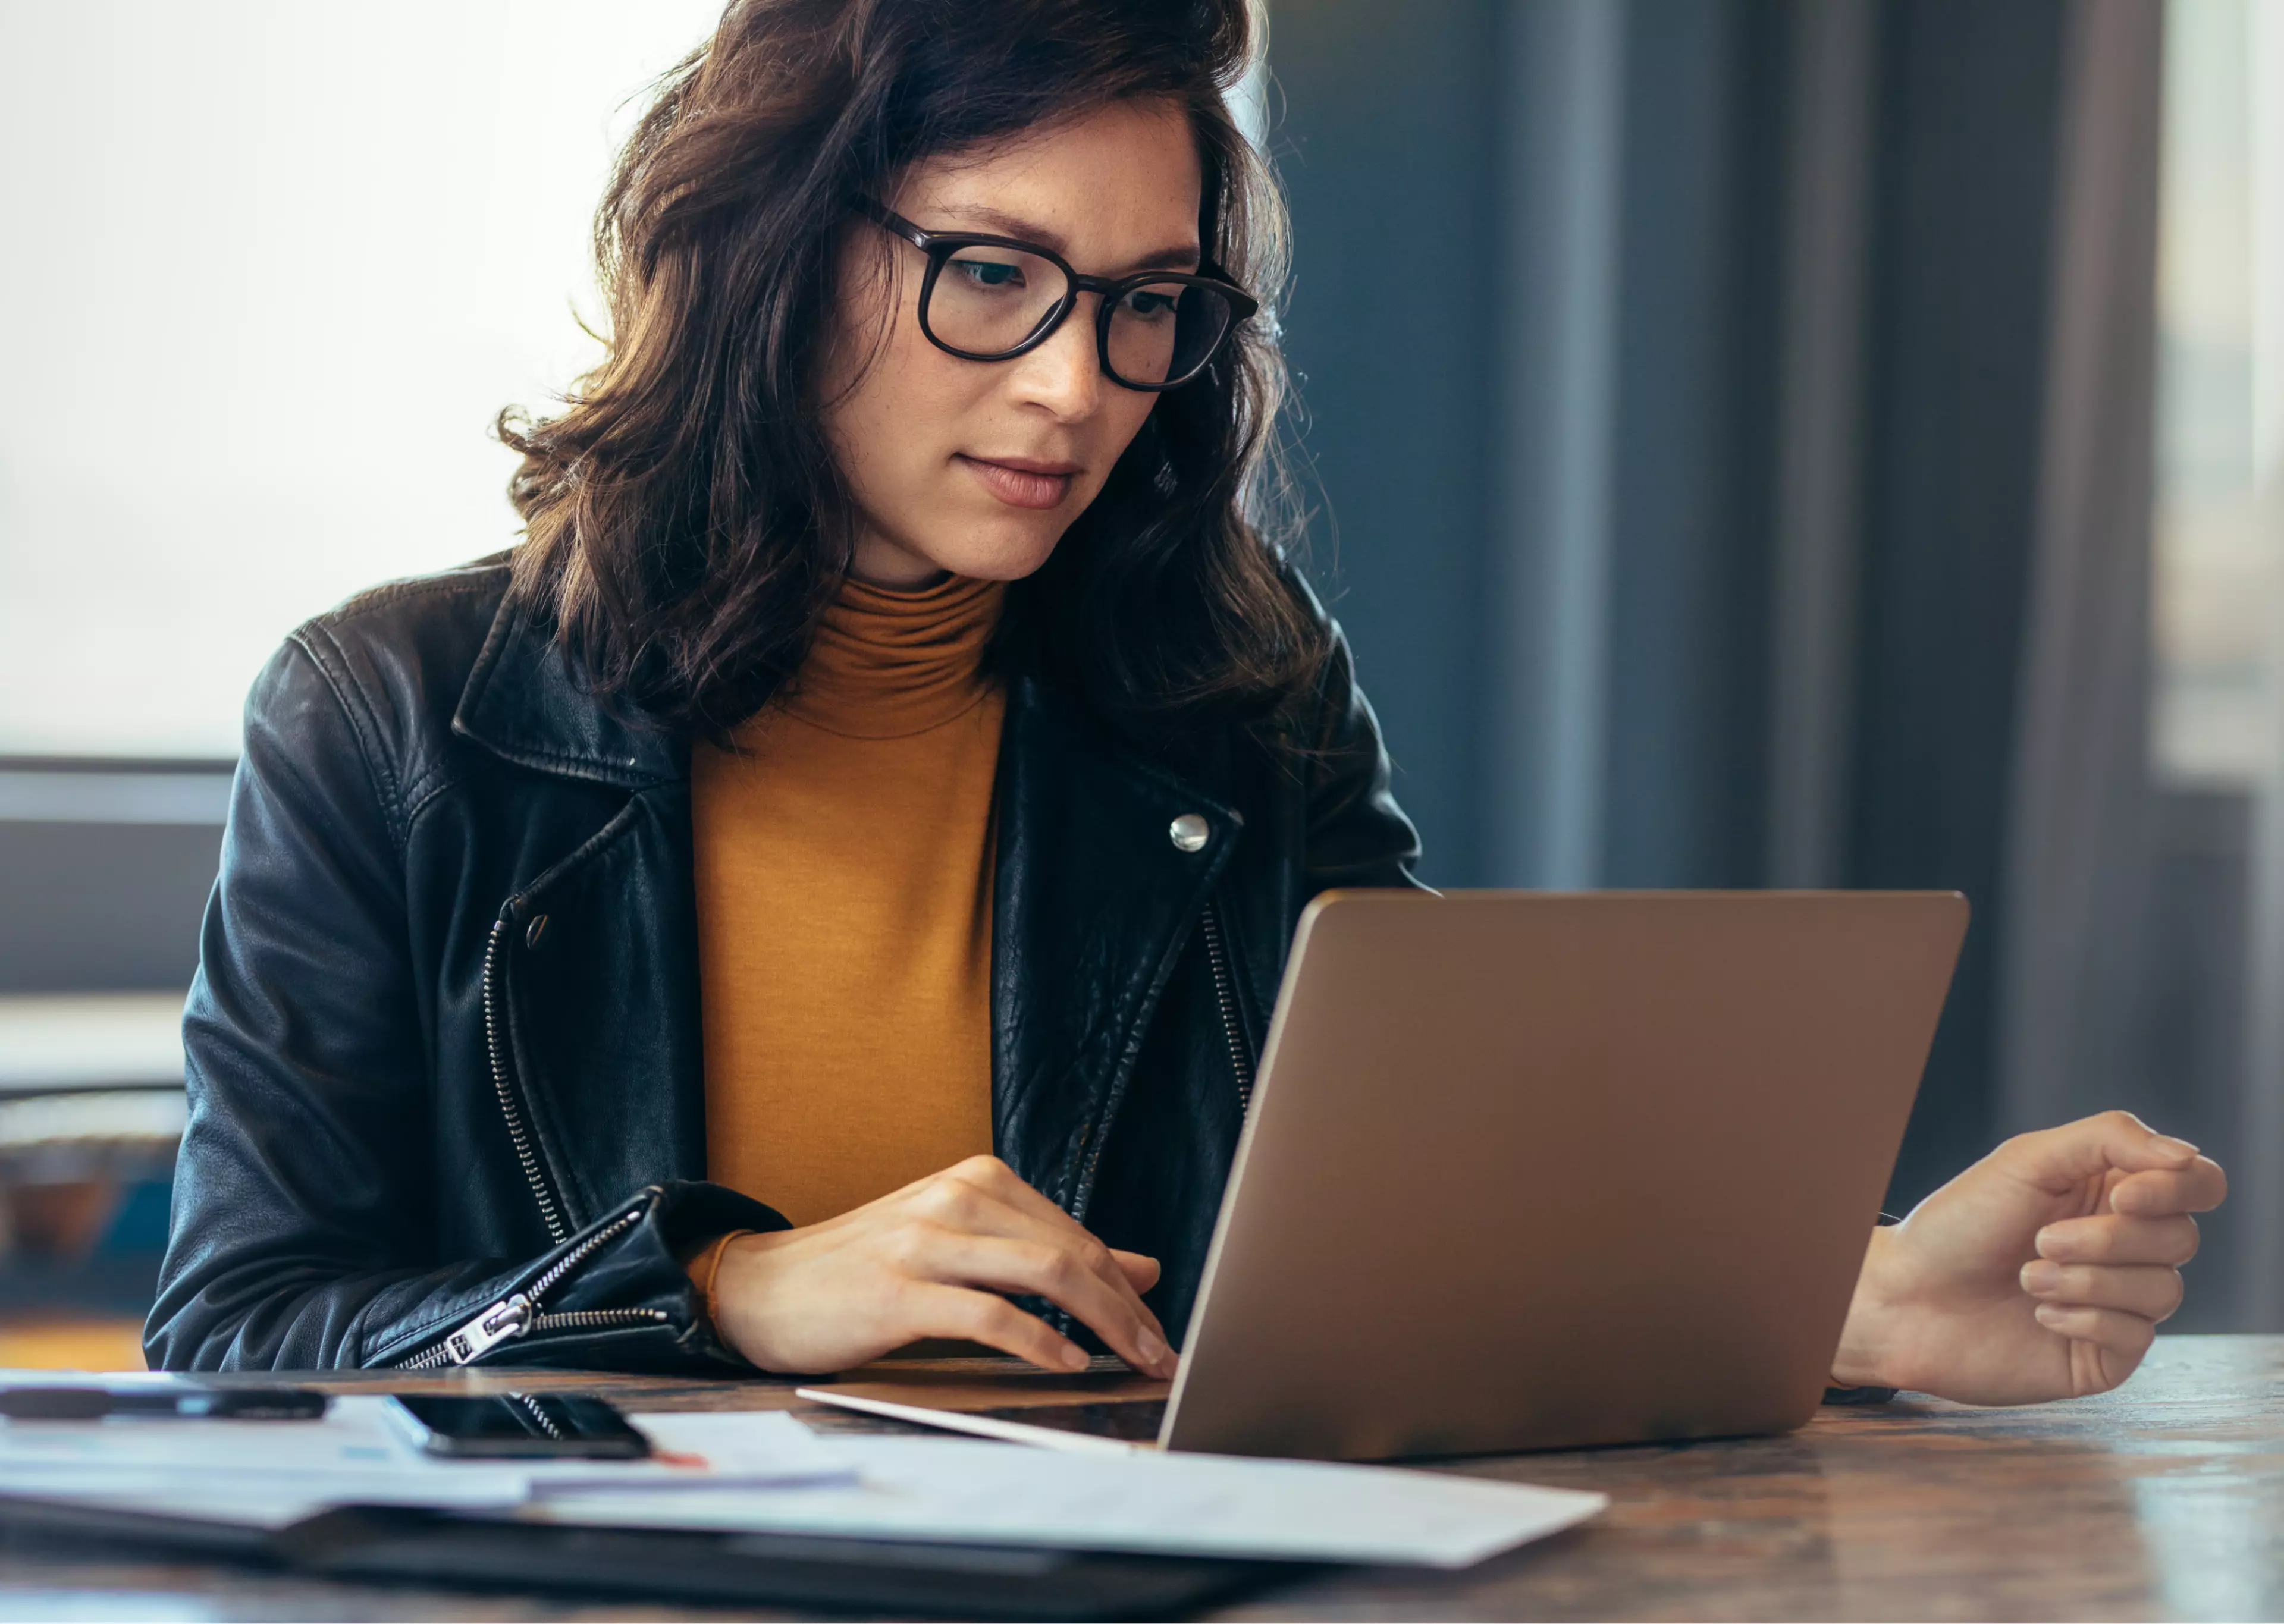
(526,705)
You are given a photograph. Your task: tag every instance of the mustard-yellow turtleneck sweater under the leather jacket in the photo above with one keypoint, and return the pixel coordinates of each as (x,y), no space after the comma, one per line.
(844,894)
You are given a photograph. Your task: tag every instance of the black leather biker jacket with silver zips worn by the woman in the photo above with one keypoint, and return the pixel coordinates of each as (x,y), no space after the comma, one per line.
(444,1059)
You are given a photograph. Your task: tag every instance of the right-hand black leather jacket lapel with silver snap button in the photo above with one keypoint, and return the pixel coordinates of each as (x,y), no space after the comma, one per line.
(1093,903)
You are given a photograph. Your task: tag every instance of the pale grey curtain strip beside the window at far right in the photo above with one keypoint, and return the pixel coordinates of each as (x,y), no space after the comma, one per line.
(2080,842)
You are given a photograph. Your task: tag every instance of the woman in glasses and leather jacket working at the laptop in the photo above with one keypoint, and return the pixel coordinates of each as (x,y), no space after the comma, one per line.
(826,890)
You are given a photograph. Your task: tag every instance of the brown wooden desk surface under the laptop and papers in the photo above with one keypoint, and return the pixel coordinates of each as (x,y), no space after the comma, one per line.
(2162,1502)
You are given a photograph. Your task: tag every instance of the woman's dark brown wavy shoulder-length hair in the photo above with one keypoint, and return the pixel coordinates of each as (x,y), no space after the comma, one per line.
(686,522)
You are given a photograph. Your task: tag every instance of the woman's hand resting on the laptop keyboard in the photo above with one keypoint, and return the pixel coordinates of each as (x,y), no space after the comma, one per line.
(928,1262)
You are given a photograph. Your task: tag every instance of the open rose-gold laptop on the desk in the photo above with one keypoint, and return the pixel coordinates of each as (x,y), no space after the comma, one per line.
(1536,1171)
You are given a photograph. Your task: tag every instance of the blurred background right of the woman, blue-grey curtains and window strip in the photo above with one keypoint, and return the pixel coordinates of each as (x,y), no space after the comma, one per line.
(1835,444)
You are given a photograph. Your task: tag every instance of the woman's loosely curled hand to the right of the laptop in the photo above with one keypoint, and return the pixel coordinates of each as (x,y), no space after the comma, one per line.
(2038,1273)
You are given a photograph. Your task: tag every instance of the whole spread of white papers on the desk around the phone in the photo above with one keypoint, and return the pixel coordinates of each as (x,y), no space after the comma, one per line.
(769,1474)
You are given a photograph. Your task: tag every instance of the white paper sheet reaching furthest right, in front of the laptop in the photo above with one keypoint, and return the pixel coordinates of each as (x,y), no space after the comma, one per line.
(1166,1504)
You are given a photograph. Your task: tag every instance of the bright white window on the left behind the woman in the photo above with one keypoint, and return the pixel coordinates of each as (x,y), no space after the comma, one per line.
(273,268)
